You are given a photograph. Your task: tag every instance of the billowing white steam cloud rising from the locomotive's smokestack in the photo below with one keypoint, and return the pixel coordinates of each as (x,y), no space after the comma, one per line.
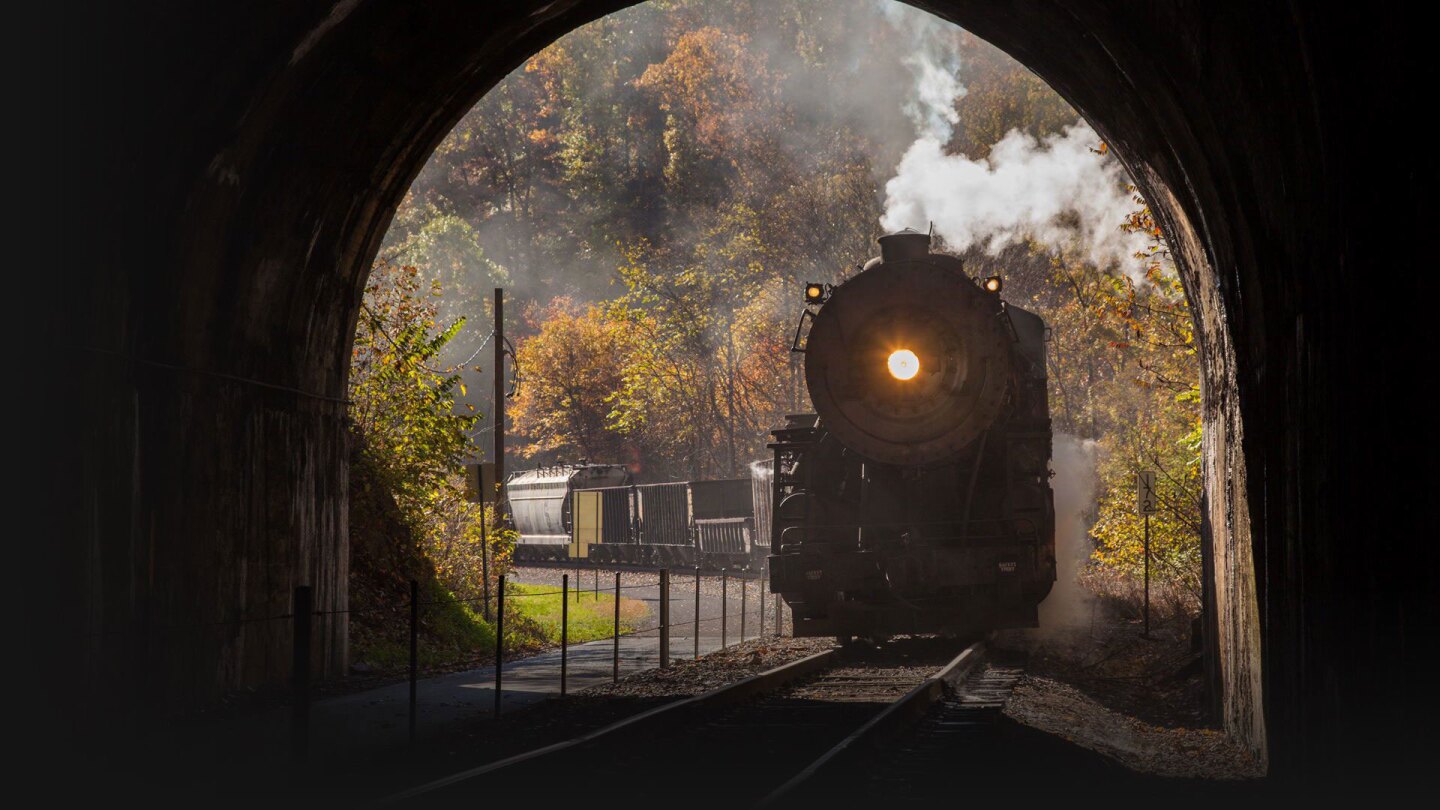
(1055,191)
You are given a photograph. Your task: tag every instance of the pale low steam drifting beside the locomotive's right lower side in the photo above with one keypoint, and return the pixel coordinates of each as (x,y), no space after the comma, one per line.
(1069,609)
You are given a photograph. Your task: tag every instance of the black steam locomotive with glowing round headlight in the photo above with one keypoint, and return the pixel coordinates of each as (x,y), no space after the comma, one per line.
(917,499)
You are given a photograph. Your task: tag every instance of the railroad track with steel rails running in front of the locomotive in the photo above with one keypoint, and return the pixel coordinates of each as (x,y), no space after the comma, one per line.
(757,742)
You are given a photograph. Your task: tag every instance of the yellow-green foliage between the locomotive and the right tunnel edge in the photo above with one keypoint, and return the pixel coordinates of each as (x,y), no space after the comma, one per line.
(1124,371)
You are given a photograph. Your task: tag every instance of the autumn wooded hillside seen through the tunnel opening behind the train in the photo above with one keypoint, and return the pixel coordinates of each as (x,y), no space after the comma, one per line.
(654,190)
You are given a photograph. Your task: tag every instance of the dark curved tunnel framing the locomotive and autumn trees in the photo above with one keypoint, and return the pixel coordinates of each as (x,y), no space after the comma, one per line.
(237,168)
